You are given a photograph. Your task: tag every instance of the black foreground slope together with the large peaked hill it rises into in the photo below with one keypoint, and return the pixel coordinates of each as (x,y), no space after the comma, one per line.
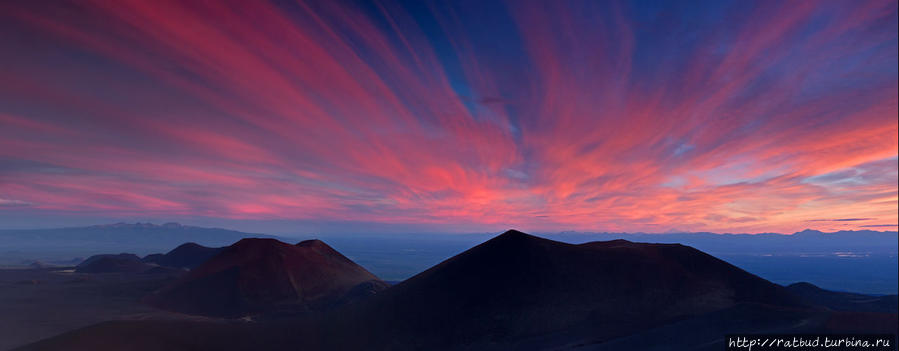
(518,291)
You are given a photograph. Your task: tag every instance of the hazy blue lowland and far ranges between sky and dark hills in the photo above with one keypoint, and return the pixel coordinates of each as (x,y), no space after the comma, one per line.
(863,261)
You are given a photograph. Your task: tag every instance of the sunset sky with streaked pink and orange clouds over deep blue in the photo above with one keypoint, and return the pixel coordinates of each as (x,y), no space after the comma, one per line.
(451,116)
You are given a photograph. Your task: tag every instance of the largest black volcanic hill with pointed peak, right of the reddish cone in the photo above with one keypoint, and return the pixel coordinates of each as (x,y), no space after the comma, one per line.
(518,286)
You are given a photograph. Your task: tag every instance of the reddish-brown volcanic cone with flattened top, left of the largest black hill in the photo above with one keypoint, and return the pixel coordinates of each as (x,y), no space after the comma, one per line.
(265,275)
